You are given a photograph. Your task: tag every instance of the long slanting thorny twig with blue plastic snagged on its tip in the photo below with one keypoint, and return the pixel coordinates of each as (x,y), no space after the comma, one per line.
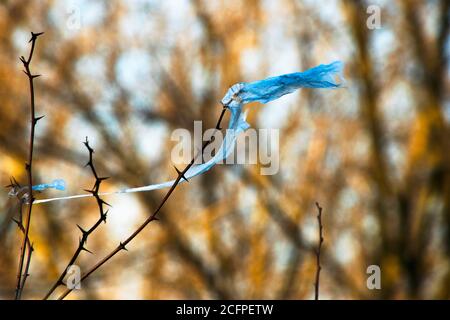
(122,245)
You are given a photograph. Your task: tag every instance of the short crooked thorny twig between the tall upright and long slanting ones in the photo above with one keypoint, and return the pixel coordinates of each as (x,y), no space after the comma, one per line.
(85,233)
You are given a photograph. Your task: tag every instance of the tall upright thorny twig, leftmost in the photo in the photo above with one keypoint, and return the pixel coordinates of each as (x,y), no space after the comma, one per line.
(28,166)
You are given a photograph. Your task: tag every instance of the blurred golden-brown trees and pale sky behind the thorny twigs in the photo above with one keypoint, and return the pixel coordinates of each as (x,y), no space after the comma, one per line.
(375,155)
